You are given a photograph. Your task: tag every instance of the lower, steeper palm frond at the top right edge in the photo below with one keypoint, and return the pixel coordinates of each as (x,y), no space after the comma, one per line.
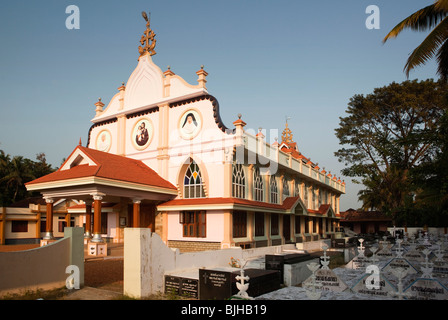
(428,48)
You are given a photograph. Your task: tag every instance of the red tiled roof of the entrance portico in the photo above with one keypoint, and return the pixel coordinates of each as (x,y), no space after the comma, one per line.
(109,166)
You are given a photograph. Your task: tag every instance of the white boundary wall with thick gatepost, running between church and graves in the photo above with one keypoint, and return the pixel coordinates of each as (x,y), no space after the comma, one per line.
(147,259)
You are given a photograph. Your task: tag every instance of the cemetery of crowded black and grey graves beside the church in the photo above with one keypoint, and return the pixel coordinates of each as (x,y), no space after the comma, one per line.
(411,268)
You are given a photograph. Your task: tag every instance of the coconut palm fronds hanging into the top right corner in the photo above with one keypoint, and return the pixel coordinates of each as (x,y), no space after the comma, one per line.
(435,44)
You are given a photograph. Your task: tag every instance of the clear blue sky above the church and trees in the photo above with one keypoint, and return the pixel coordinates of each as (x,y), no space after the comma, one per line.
(266,59)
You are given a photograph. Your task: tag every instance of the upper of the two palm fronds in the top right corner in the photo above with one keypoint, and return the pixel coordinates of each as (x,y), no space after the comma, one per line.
(421,20)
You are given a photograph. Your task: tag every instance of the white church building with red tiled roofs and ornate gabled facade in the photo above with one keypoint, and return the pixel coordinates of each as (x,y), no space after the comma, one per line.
(159,156)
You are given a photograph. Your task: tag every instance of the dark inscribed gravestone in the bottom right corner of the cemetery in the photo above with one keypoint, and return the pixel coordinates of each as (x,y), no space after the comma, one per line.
(427,289)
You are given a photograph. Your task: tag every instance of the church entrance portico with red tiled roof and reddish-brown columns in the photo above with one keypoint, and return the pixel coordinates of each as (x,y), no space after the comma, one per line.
(113,192)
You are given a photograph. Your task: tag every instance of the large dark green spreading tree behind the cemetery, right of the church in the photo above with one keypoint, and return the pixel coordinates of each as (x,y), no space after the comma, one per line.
(386,135)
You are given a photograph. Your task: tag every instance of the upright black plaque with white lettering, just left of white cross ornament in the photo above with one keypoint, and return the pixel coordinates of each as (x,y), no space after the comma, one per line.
(214,285)
